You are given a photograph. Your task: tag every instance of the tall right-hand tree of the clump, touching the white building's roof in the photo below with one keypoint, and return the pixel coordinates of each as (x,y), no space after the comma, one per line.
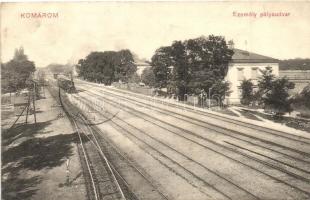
(208,58)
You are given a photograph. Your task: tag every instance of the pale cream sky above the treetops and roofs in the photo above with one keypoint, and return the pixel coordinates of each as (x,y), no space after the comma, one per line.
(142,27)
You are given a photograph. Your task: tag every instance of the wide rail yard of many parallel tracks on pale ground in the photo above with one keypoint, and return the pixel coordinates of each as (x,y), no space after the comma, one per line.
(138,147)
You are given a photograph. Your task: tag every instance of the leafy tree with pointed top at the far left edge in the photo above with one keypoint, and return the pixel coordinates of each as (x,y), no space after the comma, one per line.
(15,72)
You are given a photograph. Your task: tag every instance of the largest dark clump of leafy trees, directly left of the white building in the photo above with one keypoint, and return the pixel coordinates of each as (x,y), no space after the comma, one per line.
(197,64)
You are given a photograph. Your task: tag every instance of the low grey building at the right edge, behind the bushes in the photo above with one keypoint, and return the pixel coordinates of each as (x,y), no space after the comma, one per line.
(301,78)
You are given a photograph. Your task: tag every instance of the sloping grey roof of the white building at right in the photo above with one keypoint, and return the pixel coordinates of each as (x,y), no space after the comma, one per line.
(241,56)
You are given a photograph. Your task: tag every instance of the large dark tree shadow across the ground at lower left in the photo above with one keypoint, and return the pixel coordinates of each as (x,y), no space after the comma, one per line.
(21,151)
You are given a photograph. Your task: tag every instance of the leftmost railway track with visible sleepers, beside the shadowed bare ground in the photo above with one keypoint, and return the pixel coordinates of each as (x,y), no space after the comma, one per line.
(99,177)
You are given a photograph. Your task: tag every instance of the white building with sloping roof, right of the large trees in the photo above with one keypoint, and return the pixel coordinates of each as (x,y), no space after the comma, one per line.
(247,65)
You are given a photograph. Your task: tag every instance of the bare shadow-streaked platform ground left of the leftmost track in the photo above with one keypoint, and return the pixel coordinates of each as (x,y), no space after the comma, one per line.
(41,161)
